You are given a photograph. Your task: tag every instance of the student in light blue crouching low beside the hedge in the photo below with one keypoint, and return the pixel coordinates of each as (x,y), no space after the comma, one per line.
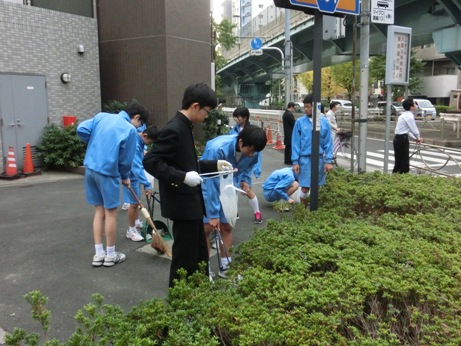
(280,185)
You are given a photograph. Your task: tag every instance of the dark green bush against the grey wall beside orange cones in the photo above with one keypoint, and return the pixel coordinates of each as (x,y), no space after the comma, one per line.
(60,147)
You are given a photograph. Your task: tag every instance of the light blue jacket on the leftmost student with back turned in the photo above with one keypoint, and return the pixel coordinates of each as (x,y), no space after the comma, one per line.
(111,140)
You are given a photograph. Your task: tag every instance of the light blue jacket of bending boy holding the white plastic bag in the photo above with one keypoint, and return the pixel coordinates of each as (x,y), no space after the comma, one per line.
(223,148)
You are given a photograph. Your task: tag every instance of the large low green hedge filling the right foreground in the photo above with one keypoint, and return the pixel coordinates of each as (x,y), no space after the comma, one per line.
(377,264)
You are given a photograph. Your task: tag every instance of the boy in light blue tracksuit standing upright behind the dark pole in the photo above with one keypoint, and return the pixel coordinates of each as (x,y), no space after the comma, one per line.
(302,149)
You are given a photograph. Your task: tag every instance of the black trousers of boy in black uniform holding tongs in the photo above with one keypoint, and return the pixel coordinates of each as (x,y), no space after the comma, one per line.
(189,248)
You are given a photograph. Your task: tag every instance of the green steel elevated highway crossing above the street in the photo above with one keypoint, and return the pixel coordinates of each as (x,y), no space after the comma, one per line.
(432,21)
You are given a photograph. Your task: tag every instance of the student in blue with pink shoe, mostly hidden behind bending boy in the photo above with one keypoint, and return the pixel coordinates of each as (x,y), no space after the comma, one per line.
(242,118)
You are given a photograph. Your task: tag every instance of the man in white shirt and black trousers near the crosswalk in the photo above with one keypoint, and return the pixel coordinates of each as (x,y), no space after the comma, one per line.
(406,125)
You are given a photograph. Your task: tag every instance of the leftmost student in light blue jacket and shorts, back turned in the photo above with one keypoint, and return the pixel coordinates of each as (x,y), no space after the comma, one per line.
(111,140)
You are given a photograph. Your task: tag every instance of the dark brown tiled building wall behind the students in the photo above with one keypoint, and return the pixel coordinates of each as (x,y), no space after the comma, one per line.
(154,58)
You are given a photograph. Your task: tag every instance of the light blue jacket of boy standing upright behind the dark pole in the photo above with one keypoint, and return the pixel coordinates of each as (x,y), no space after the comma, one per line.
(301,142)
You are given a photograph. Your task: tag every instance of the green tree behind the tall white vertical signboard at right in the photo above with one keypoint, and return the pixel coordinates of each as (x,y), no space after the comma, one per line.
(377,72)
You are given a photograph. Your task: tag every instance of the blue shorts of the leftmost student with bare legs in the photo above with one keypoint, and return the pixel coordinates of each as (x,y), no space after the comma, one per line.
(101,189)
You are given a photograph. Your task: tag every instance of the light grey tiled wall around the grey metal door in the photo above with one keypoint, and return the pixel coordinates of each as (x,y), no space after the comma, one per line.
(44,42)
